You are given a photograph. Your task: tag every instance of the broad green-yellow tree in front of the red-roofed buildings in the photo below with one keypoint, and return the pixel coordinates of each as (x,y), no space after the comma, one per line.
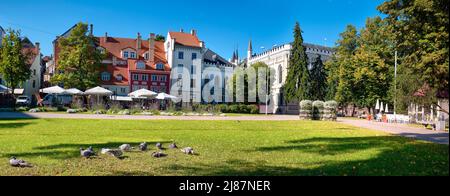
(79,60)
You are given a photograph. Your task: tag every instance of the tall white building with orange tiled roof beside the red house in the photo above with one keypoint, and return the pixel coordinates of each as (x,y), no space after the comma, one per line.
(187,55)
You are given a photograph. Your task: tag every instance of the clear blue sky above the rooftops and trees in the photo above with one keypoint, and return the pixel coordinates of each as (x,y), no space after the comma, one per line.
(223,25)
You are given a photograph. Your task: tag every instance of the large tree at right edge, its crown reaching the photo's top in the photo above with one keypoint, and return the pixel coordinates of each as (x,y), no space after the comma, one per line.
(420,29)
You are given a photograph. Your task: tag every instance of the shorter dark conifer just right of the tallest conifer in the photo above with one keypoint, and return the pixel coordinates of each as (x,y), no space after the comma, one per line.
(318,80)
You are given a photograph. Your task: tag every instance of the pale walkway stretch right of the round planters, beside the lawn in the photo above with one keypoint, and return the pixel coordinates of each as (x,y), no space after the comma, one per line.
(402,130)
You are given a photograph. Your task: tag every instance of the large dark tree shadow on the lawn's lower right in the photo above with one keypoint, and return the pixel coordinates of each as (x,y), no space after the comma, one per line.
(396,157)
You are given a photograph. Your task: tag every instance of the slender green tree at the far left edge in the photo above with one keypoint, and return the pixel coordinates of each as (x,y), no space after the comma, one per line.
(13,60)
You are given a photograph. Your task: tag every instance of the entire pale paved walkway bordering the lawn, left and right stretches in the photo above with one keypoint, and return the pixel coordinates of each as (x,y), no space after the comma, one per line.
(396,129)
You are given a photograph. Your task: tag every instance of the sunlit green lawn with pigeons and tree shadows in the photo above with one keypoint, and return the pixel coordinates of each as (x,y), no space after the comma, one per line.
(224,147)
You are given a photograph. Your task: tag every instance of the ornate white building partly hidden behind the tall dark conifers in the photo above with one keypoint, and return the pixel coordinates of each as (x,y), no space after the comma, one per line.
(277,59)
